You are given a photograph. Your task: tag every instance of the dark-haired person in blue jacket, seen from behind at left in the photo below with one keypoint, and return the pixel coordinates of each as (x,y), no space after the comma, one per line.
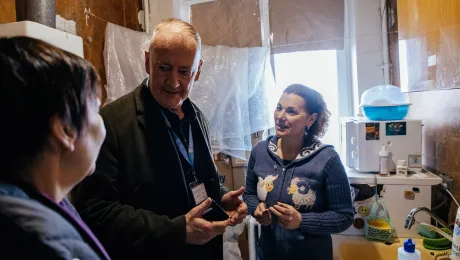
(50,138)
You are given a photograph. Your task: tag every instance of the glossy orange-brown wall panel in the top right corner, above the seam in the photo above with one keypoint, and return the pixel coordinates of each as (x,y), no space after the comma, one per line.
(432,29)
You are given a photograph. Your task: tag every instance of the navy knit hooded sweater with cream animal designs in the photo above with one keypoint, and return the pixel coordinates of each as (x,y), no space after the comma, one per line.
(315,183)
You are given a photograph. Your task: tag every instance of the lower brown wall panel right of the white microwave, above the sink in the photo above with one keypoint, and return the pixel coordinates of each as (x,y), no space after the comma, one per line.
(440,112)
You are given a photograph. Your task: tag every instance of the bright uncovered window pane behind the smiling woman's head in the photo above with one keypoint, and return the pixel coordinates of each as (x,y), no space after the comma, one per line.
(318,70)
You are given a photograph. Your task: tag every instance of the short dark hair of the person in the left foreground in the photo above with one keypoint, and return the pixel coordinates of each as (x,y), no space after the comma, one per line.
(39,81)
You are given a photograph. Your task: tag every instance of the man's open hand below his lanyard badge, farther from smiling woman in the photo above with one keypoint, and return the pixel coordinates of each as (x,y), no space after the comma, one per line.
(200,231)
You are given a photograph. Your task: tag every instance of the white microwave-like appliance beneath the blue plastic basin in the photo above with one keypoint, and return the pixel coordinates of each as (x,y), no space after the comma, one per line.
(362,140)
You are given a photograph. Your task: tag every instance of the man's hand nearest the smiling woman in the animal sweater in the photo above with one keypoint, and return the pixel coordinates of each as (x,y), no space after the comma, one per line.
(235,208)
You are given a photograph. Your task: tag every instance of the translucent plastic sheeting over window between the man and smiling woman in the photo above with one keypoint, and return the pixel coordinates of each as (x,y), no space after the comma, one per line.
(232,92)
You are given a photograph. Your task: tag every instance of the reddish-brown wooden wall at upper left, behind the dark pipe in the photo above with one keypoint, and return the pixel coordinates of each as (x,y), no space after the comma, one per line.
(121,12)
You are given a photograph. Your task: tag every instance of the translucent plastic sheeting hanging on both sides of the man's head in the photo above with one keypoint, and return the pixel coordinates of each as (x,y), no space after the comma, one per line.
(232,91)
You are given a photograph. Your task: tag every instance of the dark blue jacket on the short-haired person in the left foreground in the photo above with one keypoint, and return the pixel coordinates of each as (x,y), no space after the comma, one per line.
(33,227)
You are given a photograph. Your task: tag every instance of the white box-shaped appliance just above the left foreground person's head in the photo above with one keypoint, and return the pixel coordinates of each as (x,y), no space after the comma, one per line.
(60,39)
